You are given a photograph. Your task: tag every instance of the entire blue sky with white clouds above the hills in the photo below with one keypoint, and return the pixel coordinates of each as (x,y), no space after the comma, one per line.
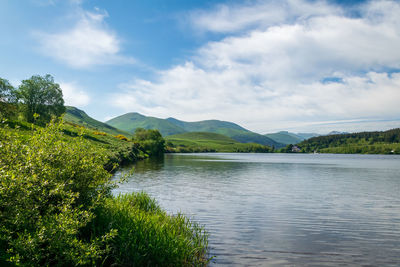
(296,65)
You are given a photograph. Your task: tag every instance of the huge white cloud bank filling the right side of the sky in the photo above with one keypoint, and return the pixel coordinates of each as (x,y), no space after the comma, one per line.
(269,71)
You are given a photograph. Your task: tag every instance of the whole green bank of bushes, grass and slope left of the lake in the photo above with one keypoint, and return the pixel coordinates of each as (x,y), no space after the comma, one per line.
(56,208)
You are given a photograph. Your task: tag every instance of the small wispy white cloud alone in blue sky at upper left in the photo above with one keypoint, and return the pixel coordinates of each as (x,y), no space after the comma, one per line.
(89,42)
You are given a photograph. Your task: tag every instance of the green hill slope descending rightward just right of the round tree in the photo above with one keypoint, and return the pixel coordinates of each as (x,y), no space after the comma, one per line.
(79,117)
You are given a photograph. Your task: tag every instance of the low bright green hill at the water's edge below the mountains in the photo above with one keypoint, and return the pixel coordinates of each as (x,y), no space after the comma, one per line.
(209,142)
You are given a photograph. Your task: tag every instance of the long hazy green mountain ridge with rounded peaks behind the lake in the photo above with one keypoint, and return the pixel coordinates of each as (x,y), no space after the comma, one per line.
(130,121)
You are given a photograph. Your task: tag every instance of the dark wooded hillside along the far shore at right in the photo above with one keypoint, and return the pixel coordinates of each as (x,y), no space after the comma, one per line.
(387,142)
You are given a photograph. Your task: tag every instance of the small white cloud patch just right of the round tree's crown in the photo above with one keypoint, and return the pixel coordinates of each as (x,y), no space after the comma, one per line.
(74,95)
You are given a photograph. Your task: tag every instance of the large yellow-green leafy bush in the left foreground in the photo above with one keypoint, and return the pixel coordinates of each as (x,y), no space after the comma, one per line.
(49,187)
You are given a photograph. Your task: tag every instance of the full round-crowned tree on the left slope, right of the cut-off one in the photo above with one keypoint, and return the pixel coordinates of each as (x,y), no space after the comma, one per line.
(41,95)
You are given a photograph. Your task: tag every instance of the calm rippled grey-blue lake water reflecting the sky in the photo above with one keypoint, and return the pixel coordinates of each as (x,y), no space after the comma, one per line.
(284,209)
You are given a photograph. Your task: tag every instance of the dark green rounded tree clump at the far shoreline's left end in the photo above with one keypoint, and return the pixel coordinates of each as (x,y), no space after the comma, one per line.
(150,141)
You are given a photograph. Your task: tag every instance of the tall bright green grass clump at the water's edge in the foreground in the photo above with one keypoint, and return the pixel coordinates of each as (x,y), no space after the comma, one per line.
(147,236)
